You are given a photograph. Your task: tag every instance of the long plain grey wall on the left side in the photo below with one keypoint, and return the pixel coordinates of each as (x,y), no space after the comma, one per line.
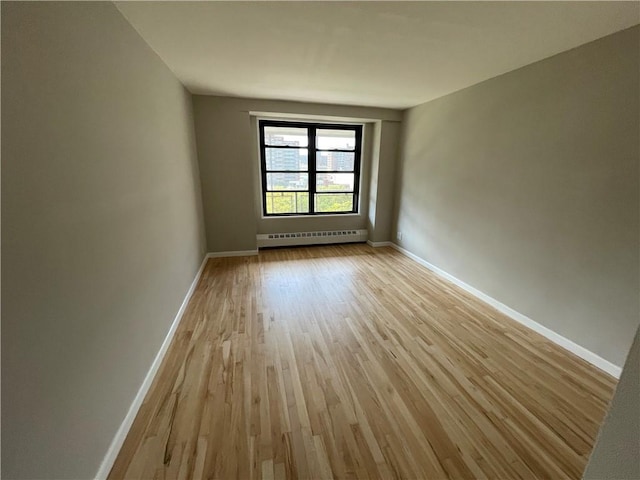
(102,228)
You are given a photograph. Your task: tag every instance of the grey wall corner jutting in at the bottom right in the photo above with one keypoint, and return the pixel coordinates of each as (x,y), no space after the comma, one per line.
(615,455)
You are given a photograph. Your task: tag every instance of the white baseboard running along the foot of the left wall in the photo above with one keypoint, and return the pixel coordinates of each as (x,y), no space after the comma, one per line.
(121,434)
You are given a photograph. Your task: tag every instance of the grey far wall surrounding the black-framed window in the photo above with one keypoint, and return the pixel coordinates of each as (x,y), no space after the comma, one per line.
(229,168)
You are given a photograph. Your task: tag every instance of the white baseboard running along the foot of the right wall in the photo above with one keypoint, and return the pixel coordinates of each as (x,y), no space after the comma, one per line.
(556,338)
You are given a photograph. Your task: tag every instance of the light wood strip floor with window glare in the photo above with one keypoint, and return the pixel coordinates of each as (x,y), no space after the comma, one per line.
(350,362)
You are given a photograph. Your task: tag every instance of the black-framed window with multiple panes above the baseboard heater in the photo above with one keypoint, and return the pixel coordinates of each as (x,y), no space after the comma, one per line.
(309,168)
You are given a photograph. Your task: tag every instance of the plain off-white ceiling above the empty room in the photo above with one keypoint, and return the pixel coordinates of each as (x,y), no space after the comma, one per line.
(385,54)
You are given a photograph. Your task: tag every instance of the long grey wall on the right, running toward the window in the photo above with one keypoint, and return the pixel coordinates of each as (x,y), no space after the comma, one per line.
(526,187)
